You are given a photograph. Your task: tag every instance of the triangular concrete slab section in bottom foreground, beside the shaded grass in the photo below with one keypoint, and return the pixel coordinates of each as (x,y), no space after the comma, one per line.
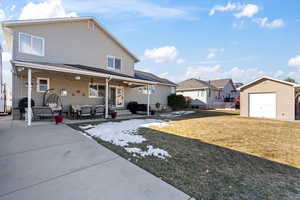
(116,179)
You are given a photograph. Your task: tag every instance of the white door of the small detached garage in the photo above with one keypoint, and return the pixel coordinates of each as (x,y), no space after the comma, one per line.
(262,105)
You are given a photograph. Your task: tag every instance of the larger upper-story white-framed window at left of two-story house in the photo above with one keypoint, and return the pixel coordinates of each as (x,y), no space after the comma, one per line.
(31,44)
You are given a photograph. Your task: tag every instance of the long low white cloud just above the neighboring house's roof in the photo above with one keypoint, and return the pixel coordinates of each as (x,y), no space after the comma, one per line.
(215,72)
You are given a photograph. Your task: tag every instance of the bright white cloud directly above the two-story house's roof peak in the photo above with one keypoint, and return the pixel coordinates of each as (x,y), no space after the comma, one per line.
(46,9)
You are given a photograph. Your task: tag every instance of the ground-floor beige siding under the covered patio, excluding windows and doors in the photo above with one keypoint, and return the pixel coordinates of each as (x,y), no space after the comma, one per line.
(78,90)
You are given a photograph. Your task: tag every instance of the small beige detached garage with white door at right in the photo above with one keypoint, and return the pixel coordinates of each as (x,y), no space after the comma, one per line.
(268,98)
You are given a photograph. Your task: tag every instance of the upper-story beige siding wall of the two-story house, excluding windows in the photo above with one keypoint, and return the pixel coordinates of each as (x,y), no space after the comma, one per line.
(73,43)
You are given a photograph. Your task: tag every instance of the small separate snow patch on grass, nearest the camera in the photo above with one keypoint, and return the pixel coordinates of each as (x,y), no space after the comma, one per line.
(157,152)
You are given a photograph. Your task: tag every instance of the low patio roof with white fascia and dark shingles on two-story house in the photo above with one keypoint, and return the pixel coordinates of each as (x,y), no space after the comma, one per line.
(139,76)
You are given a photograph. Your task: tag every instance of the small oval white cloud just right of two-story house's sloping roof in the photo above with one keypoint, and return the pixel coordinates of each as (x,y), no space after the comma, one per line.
(162,54)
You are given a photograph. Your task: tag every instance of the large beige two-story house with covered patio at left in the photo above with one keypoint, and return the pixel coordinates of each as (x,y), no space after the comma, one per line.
(81,61)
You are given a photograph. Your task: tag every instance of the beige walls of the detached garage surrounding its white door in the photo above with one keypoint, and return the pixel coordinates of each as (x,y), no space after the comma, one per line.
(285,98)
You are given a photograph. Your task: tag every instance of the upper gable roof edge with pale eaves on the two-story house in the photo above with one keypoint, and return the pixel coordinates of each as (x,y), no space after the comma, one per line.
(12,23)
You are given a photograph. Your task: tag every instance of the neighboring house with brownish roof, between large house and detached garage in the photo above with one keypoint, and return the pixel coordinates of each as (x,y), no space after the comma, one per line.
(209,94)
